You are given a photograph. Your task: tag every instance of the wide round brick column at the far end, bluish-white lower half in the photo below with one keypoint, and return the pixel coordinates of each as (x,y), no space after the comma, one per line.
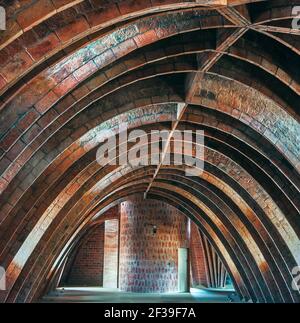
(150,234)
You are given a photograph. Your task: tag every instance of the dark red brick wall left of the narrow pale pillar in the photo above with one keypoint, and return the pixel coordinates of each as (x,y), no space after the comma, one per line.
(86,267)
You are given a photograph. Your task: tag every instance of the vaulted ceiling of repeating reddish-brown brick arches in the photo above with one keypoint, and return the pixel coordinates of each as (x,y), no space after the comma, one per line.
(69,68)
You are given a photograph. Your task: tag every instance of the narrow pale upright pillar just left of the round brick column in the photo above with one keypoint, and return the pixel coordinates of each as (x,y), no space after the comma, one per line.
(111,250)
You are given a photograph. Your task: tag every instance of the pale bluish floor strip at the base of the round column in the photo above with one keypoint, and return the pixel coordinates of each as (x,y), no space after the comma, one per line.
(101,295)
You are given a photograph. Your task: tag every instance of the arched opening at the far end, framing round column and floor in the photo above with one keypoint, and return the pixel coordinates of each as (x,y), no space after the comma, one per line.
(142,249)
